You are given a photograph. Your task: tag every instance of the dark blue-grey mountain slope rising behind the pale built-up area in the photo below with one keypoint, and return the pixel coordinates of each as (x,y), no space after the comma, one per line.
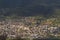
(29,7)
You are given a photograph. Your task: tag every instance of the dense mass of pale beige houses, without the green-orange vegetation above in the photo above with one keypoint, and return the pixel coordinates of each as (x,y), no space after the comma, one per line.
(18,28)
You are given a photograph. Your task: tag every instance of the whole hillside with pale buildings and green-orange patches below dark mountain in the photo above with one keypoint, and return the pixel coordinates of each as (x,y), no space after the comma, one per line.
(29,28)
